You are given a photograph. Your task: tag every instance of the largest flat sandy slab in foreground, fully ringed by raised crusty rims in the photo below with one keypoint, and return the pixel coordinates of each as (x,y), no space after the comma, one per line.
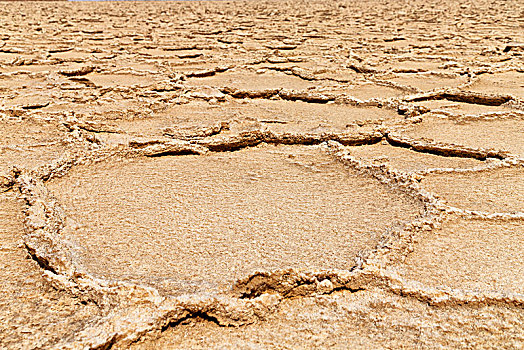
(196,223)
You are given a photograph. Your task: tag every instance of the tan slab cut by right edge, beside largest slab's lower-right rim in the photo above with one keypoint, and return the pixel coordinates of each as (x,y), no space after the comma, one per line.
(475,255)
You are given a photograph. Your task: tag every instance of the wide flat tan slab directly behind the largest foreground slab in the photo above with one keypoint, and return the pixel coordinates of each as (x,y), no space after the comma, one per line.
(193,119)
